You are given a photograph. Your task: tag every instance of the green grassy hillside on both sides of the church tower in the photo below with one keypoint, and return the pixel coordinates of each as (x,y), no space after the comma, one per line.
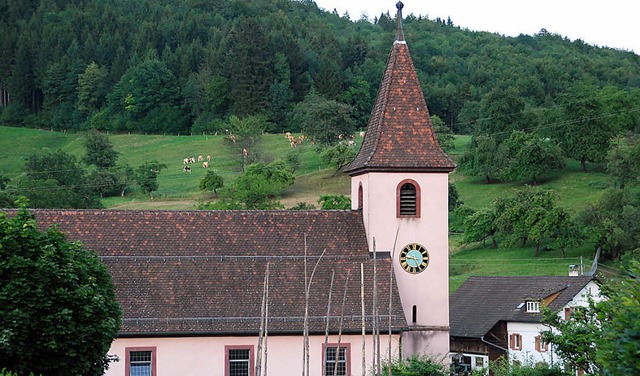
(179,190)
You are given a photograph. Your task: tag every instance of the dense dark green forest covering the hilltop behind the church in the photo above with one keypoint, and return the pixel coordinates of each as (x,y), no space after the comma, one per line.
(177,67)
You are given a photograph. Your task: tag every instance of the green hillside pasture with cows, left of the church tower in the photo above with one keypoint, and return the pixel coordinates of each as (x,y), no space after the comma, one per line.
(177,190)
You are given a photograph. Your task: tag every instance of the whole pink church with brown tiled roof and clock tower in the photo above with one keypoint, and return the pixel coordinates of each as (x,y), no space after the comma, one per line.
(287,292)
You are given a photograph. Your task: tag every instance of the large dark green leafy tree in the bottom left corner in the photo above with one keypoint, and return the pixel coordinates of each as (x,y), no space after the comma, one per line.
(58,310)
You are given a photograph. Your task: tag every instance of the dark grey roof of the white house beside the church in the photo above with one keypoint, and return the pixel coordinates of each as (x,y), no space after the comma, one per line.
(481,302)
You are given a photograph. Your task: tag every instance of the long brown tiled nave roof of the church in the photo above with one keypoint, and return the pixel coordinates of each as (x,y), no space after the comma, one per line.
(202,272)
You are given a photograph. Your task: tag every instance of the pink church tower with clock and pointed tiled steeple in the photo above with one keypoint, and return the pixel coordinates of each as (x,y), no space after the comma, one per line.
(399,180)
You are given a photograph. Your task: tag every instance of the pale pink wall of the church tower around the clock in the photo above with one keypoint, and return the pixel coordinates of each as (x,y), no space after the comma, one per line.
(429,290)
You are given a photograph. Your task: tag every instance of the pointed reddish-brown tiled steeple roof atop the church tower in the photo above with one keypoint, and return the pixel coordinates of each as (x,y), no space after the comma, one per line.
(400,136)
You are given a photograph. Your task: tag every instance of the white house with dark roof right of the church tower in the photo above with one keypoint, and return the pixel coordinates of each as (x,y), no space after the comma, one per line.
(500,316)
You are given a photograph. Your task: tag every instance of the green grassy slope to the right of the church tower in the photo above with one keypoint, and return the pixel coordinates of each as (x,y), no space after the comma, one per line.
(575,189)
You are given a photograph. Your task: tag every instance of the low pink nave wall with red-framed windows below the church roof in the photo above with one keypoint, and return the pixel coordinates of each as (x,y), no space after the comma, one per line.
(197,356)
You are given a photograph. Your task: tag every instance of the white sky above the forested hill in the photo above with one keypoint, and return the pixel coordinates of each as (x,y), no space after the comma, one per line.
(610,23)
